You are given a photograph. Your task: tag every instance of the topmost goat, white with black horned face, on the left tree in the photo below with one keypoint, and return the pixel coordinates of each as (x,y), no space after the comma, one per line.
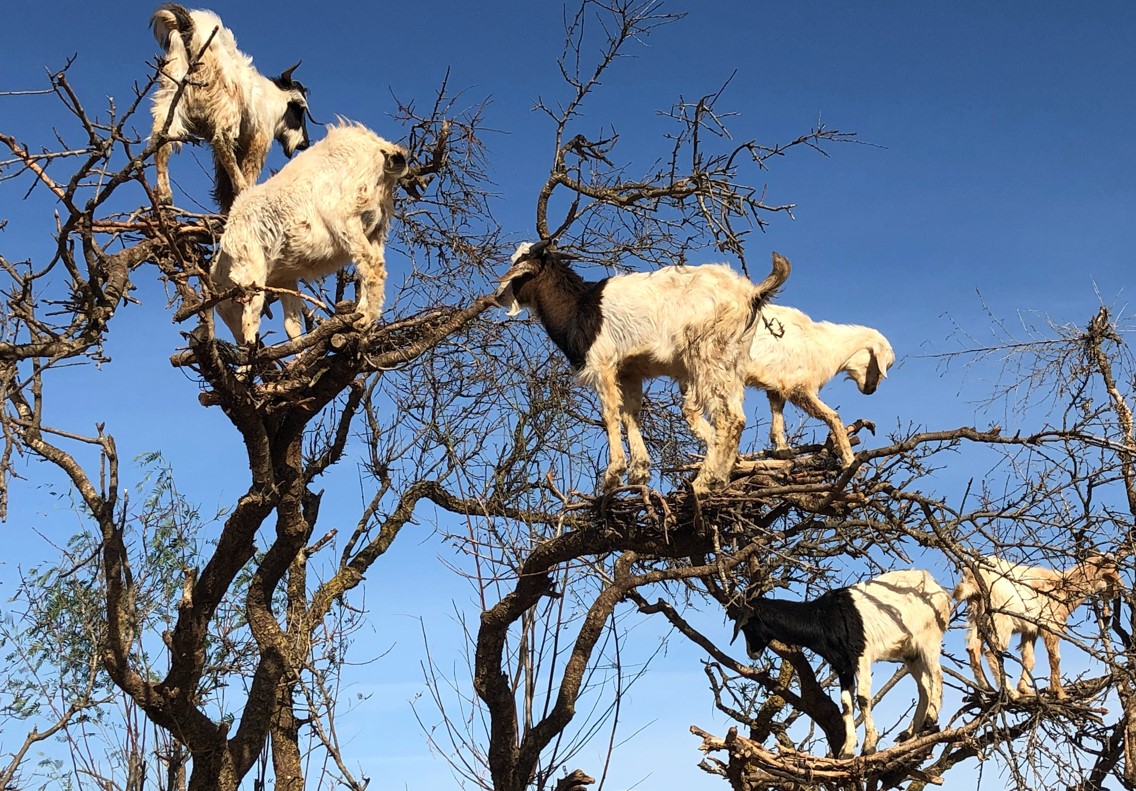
(225,101)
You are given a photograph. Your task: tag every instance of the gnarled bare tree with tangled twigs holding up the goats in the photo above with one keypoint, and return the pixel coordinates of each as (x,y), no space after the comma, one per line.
(447,413)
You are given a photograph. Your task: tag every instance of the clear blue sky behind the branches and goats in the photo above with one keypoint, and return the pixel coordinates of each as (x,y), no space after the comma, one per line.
(1001,172)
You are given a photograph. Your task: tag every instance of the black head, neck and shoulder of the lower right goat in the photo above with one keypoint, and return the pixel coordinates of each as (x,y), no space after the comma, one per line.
(831,626)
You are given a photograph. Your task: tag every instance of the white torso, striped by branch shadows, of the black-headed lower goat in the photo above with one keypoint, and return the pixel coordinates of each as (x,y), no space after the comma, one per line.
(905,614)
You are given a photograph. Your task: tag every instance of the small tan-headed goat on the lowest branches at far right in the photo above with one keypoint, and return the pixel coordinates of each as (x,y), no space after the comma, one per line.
(1028,601)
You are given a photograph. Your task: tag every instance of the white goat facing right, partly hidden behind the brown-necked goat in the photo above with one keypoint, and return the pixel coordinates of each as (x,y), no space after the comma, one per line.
(792,357)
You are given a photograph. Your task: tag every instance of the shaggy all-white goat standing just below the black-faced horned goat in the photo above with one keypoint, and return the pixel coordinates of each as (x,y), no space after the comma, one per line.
(330,206)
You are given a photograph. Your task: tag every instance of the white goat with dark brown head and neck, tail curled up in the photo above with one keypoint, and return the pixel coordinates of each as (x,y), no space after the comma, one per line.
(690,323)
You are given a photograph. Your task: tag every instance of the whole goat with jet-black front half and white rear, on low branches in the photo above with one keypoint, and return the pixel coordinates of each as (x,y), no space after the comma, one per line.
(899,617)
